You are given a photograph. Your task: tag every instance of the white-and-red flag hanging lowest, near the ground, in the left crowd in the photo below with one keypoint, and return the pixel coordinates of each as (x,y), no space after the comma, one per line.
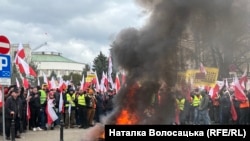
(51,113)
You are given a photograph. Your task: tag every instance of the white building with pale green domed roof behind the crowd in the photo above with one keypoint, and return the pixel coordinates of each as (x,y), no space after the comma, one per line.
(48,60)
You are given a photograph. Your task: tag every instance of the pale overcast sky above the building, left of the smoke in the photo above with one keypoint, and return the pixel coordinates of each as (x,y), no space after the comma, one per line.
(79,29)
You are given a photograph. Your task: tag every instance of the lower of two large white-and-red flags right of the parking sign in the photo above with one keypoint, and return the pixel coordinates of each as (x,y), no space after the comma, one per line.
(25,68)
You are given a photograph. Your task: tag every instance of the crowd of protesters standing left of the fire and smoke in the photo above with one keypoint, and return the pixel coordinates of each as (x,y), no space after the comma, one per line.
(81,108)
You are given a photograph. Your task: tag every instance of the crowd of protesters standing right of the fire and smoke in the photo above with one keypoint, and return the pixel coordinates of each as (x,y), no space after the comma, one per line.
(202,109)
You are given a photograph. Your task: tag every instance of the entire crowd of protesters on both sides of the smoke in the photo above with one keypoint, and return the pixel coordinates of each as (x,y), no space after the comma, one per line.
(84,108)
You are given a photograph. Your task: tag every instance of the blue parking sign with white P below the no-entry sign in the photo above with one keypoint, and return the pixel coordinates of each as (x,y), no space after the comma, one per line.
(5,66)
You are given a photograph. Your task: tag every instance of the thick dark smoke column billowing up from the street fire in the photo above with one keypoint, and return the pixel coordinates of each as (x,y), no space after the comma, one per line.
(151,55)
